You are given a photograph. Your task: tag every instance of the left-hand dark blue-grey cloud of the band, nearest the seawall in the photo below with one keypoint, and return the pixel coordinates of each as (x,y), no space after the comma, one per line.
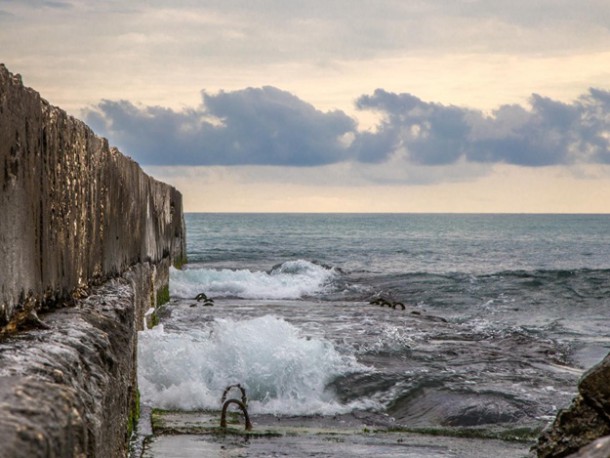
(263,126)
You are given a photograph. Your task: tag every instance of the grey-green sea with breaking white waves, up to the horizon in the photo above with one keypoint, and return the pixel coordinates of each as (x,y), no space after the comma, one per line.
(428,322)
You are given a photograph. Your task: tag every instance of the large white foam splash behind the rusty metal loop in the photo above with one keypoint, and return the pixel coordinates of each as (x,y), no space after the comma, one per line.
(282,371)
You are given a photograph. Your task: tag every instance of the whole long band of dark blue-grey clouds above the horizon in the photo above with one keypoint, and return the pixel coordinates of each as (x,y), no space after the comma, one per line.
(268,126)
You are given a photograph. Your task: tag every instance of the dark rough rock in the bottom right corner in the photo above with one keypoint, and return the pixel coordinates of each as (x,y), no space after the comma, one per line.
(584,421)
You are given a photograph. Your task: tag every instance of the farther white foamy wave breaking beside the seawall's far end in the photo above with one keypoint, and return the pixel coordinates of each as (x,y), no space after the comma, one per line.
(290,280)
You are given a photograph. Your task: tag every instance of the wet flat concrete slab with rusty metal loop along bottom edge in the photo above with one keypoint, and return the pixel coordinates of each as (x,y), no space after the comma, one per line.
(197,434)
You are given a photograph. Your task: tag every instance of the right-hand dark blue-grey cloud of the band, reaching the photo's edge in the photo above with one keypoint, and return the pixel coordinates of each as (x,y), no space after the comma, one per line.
(548,133)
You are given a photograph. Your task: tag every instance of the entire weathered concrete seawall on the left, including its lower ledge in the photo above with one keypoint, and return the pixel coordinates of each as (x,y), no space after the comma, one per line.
(86,242)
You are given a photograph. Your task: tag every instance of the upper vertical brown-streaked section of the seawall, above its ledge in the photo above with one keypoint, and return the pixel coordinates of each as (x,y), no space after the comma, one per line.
(72,210)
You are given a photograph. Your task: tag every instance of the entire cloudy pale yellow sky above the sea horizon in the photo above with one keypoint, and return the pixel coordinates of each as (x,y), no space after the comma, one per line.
(336,105)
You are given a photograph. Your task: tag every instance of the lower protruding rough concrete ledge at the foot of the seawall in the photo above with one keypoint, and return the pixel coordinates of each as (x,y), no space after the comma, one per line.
(66,391)
